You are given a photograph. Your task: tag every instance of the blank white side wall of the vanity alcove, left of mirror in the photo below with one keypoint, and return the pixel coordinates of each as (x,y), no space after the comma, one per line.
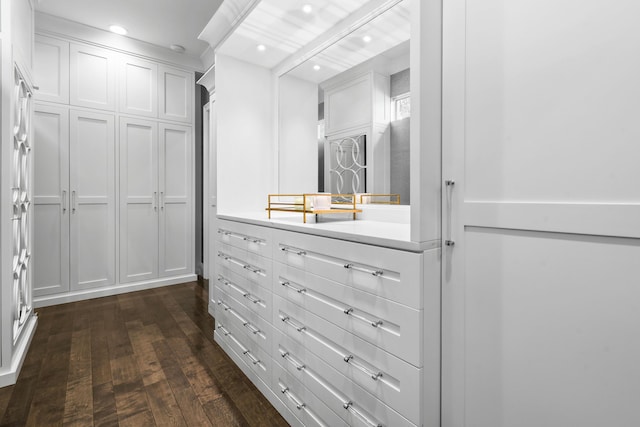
(244,135)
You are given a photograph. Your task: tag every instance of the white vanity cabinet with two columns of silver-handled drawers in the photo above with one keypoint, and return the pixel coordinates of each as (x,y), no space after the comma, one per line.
(332,327)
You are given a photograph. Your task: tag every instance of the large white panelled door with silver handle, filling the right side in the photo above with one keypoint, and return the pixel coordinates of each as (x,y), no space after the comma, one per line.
(541,291)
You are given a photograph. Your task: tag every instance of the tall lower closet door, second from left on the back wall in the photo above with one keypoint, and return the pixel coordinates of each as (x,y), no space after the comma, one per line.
(92,185)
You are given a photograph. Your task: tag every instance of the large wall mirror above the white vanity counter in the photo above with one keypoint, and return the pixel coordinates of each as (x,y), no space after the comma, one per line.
(344,113)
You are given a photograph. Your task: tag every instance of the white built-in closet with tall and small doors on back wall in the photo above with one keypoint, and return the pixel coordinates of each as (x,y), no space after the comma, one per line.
(114,182)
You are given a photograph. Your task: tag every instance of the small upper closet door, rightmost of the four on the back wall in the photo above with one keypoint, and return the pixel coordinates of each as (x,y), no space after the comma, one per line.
(175,94)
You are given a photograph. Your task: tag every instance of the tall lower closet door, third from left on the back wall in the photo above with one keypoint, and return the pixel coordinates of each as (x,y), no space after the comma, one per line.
(138,200)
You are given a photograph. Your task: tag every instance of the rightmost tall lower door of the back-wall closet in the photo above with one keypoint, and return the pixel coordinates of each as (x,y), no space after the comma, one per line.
(176,224)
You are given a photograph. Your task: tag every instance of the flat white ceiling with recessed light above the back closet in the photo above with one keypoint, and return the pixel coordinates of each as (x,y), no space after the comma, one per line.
(159,22)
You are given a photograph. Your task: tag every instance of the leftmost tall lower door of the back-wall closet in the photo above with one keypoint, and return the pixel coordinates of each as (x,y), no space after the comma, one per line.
(51,200)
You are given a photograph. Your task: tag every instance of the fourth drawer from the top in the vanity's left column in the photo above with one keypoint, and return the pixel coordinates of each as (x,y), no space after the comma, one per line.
(231,312)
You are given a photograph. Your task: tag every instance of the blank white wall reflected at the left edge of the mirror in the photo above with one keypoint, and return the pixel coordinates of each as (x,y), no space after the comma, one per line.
(298,136)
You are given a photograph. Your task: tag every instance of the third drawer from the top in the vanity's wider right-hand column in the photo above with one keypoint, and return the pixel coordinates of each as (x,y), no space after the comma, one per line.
(396,382)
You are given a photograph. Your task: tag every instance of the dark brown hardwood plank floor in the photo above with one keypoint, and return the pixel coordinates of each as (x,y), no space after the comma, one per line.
(139,359)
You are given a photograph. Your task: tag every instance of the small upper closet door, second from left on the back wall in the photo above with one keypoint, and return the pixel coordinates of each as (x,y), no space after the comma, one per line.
(93,80)
